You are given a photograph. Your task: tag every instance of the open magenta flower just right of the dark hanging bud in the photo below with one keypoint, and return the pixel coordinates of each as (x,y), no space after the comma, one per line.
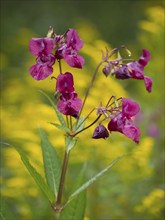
(122,121)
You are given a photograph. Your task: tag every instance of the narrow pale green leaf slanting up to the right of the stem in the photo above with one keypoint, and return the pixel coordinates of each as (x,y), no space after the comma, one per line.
(93,179)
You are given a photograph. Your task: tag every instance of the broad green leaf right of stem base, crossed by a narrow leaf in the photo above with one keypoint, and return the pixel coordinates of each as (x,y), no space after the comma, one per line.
(75,210)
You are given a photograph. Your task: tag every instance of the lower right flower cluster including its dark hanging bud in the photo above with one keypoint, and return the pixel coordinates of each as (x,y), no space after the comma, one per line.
(120,120)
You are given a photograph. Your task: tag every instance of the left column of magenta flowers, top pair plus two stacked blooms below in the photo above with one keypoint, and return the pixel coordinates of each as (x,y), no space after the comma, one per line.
(53,48)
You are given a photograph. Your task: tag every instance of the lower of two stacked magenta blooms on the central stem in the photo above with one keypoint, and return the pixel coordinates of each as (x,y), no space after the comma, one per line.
(69,104)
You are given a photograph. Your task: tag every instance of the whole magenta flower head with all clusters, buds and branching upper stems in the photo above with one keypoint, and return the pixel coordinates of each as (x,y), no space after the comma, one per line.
(120,112)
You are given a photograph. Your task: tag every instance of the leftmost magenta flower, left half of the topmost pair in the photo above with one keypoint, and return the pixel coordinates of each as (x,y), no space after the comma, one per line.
(42,48)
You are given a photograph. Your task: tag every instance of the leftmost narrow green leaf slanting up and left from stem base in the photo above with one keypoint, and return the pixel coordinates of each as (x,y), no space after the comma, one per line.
(36,176)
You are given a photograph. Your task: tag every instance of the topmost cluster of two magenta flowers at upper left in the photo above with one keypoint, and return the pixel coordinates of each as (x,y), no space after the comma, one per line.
(57,47)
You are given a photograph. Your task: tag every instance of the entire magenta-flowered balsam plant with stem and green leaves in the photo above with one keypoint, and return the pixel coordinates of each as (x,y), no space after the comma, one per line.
(117,114)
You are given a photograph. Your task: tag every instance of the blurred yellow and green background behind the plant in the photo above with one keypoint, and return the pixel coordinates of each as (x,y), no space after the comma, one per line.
(134,188)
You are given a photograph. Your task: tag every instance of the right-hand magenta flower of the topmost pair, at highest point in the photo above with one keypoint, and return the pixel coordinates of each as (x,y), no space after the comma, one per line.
(68,50)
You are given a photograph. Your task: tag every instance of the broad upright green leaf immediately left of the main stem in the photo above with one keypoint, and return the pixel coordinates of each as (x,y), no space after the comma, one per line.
(51,162)
